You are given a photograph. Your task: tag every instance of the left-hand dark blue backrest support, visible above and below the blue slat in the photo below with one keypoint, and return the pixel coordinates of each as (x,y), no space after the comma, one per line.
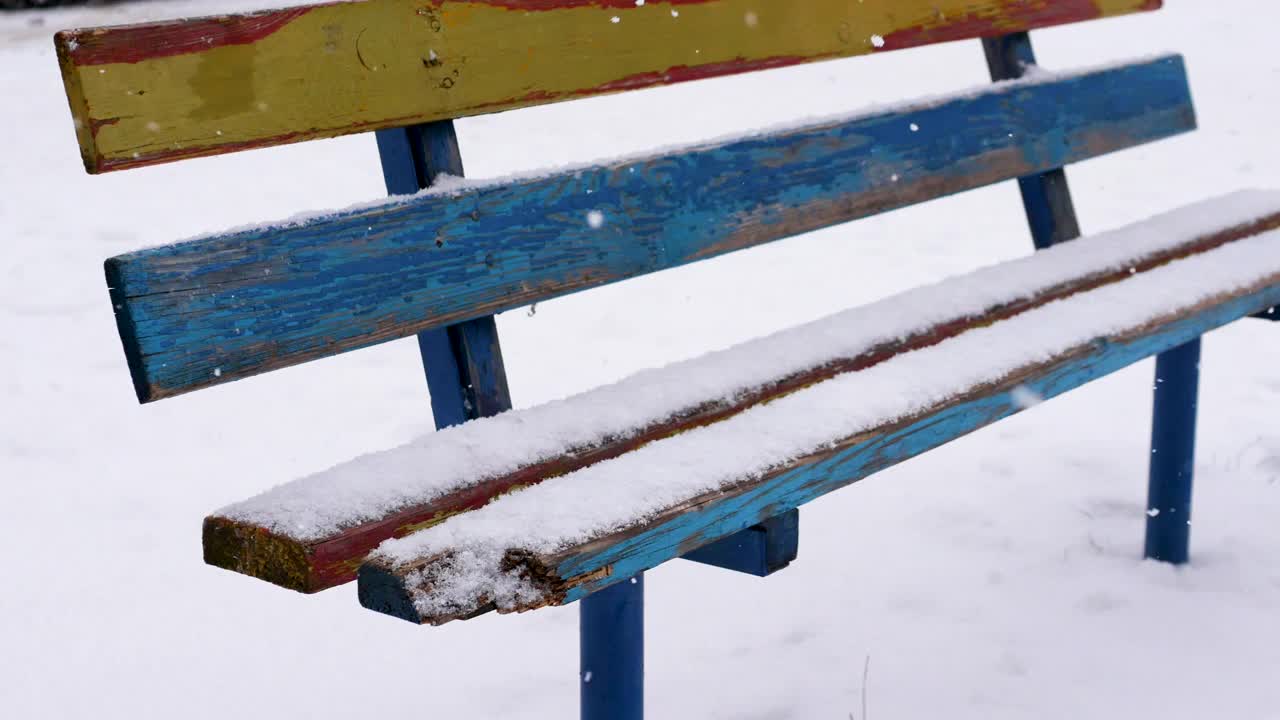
(465,372)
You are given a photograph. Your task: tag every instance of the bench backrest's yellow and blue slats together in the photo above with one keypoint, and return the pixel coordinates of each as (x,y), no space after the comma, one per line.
(217,309)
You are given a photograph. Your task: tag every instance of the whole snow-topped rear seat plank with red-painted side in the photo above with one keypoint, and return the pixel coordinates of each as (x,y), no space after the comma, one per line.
(314,532)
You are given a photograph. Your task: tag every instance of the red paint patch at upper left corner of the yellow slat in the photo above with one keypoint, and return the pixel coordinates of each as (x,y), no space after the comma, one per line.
(134,44)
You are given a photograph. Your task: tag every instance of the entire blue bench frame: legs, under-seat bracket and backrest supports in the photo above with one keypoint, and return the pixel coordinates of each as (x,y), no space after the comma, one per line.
(467,379)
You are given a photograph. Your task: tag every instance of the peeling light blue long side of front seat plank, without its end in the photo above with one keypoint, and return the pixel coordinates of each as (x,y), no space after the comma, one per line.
(671,537)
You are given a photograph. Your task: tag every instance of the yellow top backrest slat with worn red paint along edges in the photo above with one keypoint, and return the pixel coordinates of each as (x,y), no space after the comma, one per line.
(164,92)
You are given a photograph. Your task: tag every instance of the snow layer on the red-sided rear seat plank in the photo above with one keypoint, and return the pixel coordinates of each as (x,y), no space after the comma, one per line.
(374,486)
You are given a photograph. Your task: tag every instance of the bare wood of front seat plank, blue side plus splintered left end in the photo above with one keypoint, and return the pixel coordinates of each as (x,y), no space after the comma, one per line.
(569,576)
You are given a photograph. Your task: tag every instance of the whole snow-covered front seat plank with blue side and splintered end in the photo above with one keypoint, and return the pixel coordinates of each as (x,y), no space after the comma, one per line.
(575,535)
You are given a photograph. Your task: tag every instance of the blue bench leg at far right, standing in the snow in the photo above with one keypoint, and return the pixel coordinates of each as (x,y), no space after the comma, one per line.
(1173,454)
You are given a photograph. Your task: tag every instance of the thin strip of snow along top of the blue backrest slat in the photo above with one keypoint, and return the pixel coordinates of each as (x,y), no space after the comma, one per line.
(454,186)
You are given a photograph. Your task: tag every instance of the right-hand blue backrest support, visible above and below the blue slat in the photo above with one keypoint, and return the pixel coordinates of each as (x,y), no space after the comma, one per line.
(1046,197)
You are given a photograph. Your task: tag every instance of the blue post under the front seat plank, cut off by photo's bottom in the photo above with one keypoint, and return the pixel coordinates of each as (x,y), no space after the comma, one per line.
(611,664)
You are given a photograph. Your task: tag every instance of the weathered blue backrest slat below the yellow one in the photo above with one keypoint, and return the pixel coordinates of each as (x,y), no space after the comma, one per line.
(213,311)
